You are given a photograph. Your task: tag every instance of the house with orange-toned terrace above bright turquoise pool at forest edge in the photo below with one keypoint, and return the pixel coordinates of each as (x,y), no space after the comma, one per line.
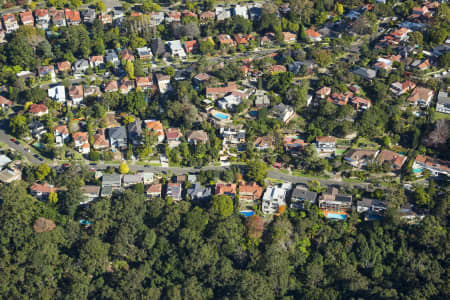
(335,205)
